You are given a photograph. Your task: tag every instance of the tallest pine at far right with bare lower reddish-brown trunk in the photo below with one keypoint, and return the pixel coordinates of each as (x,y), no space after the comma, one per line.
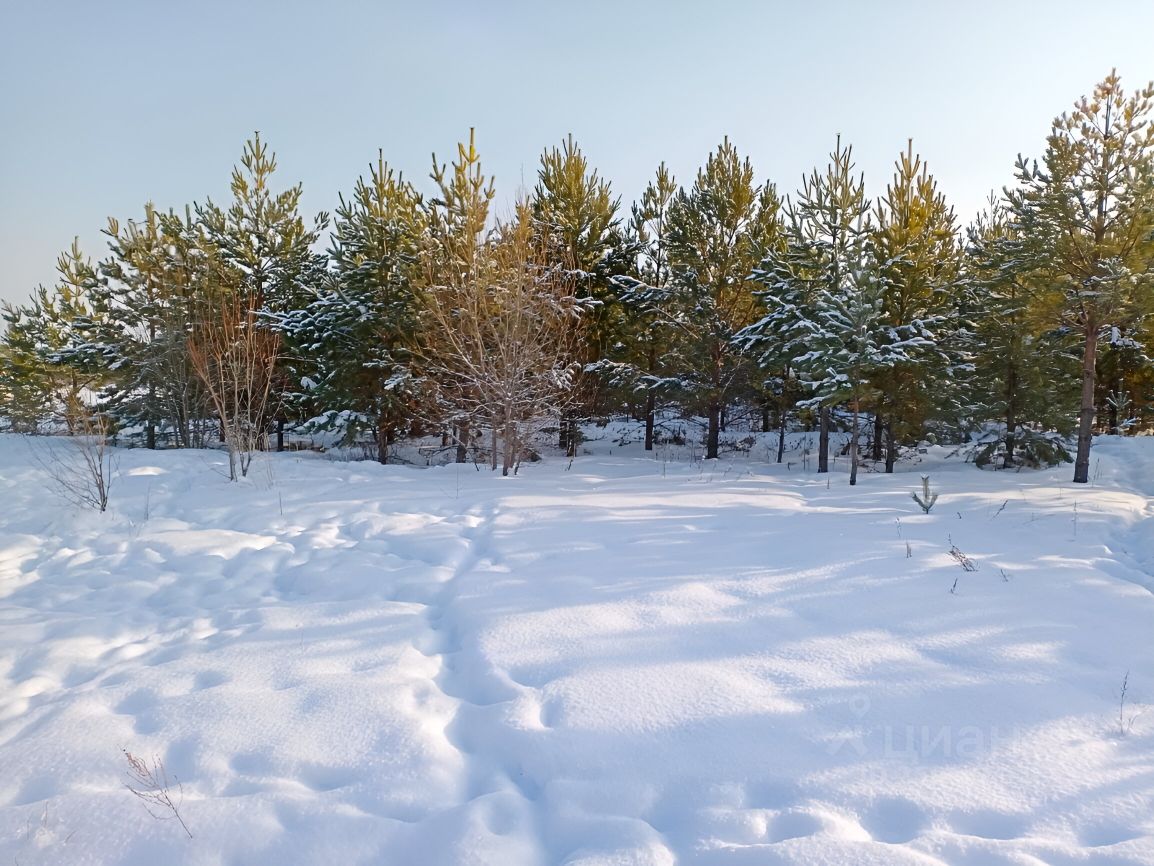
(1088,218)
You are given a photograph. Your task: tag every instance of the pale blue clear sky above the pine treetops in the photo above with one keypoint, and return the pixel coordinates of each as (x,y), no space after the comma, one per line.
(108,106)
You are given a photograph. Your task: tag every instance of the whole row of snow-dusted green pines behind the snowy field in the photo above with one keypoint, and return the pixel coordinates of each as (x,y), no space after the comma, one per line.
(713,298)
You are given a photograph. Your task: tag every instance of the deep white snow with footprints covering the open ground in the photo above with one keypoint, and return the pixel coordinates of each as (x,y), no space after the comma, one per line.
(633,661)
